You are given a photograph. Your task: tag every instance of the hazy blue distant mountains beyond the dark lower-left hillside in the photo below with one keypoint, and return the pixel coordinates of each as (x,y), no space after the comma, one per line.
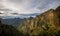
(12,21)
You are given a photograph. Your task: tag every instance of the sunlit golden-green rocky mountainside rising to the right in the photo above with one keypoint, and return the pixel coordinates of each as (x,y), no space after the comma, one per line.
(45,24)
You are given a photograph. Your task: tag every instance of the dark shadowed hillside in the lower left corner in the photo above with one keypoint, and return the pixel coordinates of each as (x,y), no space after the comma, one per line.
(8,30)
